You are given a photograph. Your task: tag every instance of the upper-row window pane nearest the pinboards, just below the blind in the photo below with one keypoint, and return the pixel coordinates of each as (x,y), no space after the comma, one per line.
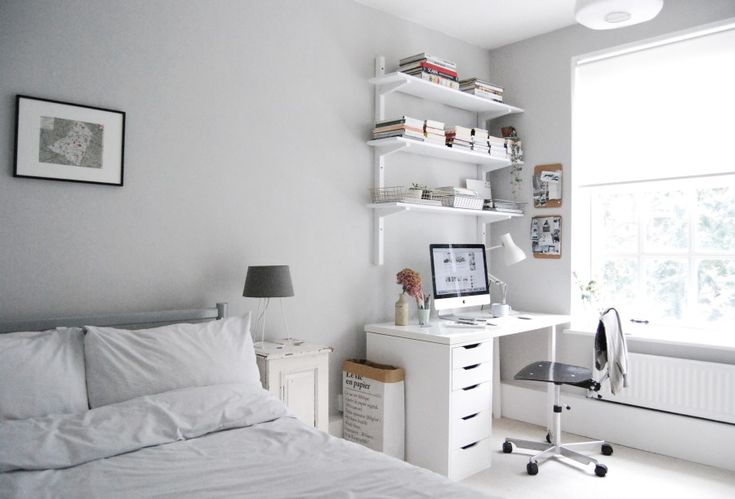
(616,222)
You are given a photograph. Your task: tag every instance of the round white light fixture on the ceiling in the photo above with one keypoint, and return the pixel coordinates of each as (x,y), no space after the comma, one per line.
(611,14)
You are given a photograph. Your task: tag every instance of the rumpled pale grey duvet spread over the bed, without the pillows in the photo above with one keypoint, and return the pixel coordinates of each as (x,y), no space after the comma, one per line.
(216,441)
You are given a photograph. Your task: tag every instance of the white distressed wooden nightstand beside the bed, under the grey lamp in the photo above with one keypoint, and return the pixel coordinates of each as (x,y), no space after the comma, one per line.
(298,373)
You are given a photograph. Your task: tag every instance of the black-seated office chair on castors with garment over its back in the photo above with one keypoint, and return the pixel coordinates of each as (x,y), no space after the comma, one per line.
(610,353)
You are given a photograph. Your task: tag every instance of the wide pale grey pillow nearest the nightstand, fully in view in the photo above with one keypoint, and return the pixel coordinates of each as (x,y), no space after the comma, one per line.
(122,364)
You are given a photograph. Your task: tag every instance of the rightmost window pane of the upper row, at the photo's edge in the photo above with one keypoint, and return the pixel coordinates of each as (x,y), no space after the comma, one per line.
(716,206)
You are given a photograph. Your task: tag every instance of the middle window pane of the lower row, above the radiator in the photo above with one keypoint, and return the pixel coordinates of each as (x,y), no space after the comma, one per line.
(665,289)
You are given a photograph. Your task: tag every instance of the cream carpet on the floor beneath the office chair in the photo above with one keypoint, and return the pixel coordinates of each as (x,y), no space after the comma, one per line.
(631,473)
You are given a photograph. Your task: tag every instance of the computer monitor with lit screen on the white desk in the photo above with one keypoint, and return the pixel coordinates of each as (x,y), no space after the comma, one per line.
(459,275)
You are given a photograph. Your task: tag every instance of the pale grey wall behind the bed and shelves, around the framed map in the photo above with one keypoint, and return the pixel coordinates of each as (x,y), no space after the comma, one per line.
(245,145)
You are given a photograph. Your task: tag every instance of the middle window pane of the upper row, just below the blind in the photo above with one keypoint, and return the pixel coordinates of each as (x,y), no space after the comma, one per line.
(667,222)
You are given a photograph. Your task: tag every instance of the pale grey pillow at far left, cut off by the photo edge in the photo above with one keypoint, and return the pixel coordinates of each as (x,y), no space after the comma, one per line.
(42,373)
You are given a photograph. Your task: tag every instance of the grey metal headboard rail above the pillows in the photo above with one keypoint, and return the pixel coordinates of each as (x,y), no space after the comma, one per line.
(130,320)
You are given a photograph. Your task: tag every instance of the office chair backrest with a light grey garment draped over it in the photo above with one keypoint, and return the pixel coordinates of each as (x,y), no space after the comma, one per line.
(611,350)
